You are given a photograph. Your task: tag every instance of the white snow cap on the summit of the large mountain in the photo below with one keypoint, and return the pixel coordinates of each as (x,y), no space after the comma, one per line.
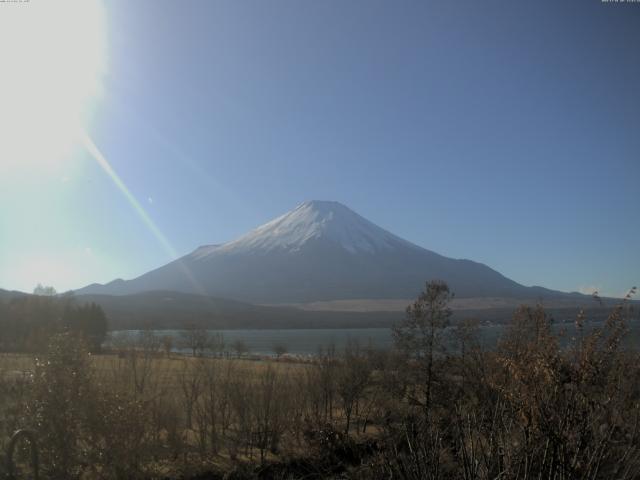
(312,220)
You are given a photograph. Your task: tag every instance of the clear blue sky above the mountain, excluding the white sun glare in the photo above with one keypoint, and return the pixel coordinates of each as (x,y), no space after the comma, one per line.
(505,132)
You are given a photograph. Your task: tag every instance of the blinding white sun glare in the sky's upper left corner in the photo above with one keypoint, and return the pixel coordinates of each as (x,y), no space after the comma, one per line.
(53,57)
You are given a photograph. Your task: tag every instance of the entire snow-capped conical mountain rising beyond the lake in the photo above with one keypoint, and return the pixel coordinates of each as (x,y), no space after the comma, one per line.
(319,251)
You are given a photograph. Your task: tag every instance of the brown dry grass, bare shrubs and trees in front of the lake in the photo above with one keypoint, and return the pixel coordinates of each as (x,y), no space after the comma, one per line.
(529,409)
